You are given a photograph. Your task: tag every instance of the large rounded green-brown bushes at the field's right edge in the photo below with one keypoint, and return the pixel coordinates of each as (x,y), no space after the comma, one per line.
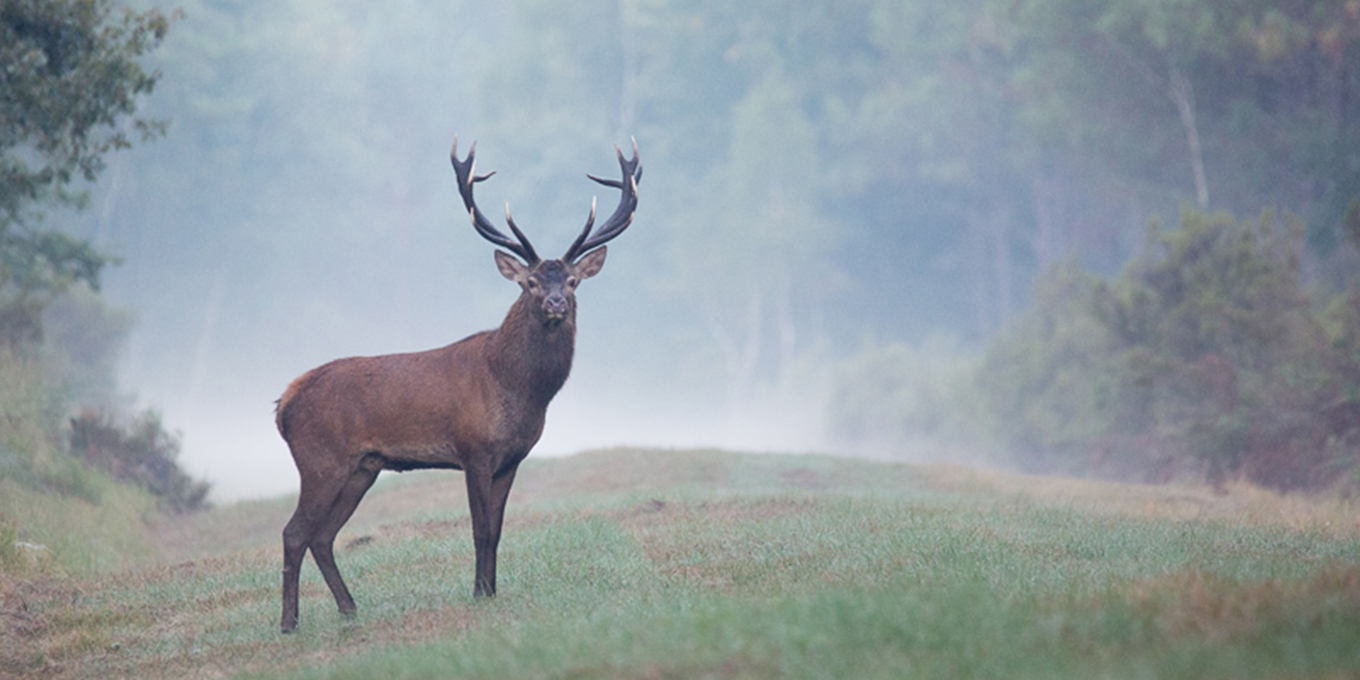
(1204,357)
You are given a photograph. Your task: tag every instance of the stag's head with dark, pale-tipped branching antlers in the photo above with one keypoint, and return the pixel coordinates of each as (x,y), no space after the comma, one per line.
(551,285)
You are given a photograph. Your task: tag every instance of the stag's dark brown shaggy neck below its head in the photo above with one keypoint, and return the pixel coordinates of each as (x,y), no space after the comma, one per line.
(532,360)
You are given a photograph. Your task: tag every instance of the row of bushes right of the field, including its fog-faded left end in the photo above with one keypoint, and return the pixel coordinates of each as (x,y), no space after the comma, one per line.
(1208,357)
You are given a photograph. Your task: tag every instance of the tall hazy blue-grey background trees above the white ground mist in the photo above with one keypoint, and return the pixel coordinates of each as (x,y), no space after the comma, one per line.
(821,175)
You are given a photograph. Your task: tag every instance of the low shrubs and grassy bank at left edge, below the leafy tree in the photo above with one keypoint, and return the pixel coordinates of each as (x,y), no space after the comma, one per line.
(77,478)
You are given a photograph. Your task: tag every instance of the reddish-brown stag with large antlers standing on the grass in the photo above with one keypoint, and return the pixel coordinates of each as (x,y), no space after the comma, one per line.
(477,406)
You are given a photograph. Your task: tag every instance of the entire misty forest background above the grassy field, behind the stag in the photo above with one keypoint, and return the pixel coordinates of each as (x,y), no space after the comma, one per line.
(1085,237)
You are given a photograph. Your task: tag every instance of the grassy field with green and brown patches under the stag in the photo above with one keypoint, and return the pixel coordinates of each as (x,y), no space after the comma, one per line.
(659,565)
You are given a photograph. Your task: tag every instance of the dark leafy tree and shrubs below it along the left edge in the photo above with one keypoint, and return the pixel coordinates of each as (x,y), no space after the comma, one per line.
(71,80)
